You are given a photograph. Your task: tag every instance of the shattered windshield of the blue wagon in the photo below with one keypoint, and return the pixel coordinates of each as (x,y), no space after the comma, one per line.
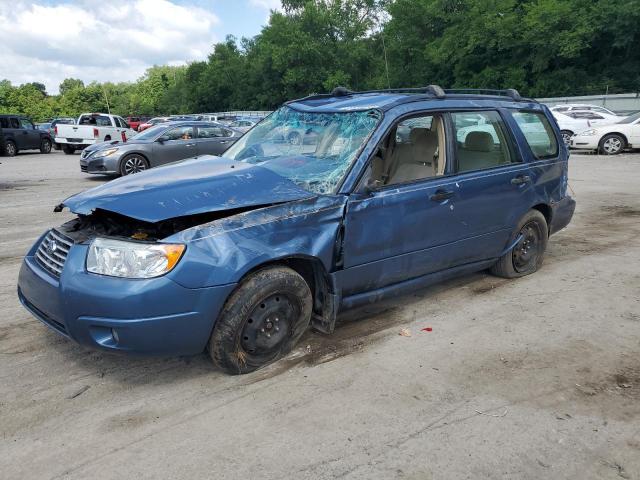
(314,150)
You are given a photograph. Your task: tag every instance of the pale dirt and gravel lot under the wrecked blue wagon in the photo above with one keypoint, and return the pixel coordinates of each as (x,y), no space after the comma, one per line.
(528,379)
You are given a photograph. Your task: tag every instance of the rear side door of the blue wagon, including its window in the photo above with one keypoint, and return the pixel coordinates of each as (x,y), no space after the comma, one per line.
(494,185)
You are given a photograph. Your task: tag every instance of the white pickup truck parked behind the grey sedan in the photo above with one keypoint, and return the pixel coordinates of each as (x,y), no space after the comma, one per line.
(91,128)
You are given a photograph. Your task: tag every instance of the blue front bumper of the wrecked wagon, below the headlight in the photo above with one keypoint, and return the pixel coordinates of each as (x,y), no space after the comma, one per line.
(155,316)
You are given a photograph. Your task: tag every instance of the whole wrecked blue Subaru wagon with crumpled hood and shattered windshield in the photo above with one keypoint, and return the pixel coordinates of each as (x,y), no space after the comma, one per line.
(333,201)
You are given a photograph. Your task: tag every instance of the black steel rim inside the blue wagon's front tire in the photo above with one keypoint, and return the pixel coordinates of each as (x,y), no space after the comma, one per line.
(268,326)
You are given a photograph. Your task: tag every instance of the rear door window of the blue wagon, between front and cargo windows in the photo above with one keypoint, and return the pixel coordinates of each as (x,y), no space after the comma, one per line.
(481,141)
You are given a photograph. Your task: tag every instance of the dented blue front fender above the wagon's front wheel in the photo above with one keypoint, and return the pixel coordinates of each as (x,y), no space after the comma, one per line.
(223,251)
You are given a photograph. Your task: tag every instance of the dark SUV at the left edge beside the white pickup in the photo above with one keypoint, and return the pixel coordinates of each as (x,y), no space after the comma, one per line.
(19,133)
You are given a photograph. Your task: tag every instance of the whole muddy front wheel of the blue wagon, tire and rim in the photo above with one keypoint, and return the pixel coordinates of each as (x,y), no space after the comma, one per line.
(261,321)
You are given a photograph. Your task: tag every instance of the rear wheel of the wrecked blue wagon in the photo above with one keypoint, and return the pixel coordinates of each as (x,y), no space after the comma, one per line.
(527,255)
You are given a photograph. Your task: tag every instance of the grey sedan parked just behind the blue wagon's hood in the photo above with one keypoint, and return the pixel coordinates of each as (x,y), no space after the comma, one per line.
(164,143)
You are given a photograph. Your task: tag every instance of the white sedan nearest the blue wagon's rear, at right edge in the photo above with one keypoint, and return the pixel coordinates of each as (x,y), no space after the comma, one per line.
(610,139)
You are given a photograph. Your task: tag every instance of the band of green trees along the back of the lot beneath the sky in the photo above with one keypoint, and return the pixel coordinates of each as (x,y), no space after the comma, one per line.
(541,47)
